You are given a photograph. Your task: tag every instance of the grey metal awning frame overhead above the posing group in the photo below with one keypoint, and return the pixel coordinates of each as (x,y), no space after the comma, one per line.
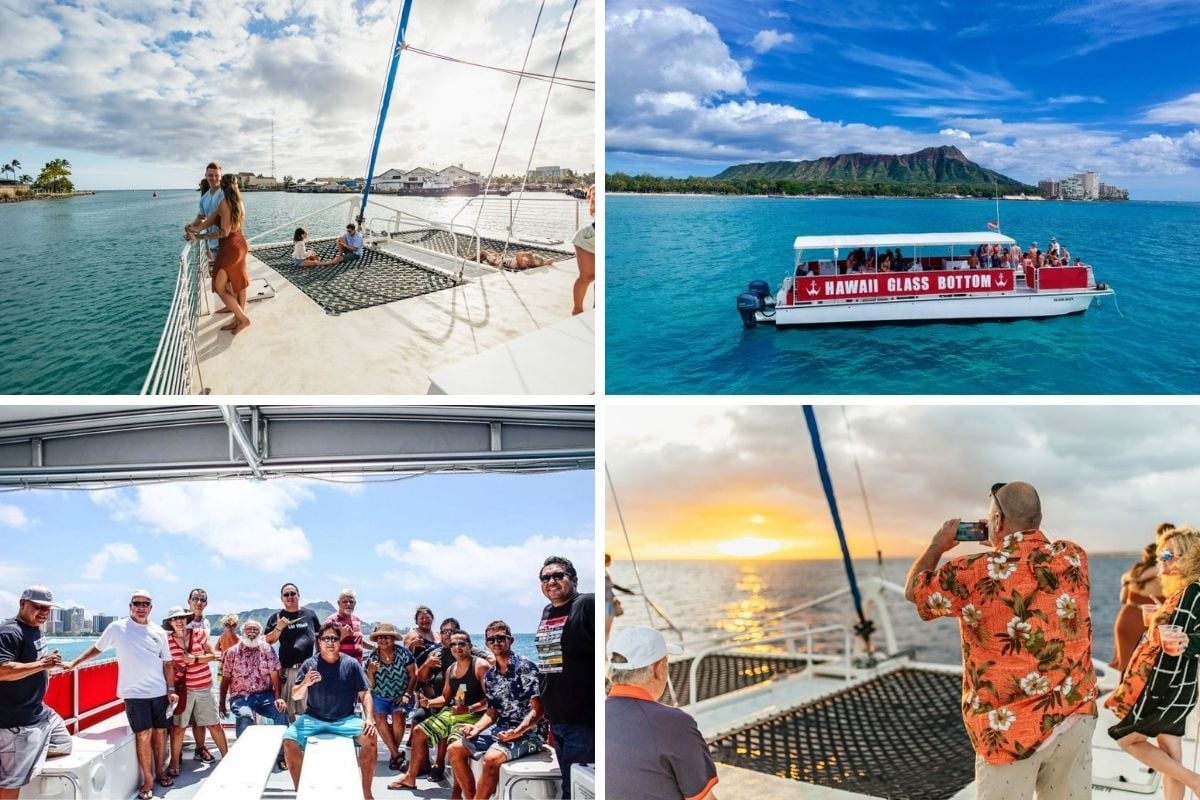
(82,446)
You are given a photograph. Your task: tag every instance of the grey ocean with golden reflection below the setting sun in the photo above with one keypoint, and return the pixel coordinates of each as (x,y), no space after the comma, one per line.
(704,599)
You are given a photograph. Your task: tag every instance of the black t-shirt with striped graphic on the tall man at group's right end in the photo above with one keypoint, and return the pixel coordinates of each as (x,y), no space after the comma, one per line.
(567,648)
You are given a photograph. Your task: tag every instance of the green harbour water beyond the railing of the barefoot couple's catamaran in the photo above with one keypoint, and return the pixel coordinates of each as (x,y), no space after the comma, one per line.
(86,282)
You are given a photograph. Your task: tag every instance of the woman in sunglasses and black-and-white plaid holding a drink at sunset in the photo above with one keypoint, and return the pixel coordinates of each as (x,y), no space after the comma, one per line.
(1159,689)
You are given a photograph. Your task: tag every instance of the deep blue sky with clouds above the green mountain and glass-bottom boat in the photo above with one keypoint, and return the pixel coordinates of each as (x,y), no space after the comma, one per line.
(1029,89)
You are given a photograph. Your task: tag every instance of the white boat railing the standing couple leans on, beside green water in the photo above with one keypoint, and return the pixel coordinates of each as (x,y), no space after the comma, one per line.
(175,364)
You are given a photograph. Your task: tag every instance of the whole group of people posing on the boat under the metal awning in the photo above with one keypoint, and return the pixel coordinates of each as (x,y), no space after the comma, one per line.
(328,677)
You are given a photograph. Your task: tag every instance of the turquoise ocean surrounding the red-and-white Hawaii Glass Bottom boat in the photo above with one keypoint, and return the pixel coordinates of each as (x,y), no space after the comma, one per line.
(675,266)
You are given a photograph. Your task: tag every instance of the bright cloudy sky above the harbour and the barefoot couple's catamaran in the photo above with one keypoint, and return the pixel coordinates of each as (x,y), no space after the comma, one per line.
(142,95)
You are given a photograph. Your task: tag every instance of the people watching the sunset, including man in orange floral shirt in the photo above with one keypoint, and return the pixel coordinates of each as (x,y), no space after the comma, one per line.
(1030,697)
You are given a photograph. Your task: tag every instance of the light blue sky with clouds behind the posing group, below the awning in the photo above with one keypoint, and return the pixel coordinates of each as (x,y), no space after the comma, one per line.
(470,546)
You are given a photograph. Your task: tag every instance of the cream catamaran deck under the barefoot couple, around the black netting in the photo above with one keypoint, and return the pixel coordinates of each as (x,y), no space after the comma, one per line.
(296,347)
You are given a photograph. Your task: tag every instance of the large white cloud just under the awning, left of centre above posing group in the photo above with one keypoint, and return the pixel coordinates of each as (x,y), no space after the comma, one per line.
(248,522)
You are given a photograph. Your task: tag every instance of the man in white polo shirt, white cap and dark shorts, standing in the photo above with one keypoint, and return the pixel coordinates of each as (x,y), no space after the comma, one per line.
(145,677)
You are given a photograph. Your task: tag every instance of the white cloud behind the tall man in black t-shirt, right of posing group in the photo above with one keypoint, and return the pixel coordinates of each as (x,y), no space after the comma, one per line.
(508,572)
